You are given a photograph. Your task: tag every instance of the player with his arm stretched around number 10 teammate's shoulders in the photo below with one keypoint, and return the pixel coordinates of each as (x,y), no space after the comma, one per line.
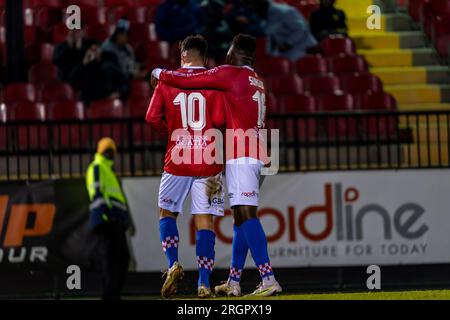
(245,100)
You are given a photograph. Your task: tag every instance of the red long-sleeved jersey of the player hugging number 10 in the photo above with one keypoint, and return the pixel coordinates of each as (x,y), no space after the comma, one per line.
(245,101)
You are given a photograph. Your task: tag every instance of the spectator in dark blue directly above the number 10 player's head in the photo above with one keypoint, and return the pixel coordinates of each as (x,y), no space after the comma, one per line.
(177,19)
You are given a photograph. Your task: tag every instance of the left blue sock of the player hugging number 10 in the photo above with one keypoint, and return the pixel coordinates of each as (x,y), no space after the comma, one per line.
(238,255)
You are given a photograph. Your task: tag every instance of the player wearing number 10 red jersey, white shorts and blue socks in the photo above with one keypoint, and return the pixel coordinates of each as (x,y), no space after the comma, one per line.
(192,120)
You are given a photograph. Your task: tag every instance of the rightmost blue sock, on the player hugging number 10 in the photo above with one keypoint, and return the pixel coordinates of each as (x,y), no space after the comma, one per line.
(257,243)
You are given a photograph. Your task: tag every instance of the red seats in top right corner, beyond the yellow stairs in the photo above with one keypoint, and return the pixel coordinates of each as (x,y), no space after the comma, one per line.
(434,15)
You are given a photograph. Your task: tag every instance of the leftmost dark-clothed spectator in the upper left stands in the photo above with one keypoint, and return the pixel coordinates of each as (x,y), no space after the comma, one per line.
(70,53)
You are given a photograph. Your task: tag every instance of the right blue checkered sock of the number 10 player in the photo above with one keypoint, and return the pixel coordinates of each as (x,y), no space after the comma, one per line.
(205,255)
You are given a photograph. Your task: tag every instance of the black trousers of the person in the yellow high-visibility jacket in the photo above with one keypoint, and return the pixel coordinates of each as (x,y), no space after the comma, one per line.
(112,257)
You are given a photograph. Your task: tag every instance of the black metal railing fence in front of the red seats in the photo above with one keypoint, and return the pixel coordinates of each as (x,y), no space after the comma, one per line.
(31,150)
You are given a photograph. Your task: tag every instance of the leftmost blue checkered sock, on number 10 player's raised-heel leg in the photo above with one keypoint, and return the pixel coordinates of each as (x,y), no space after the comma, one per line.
(169,239)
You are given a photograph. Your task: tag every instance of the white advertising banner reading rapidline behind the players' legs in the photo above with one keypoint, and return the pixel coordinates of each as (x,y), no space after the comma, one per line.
(320,219)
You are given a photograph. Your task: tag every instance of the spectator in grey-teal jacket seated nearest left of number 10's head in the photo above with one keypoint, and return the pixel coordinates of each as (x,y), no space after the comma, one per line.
(117,45)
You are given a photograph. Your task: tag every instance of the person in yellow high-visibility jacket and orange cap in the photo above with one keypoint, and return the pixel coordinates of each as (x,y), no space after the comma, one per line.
(109,219)
